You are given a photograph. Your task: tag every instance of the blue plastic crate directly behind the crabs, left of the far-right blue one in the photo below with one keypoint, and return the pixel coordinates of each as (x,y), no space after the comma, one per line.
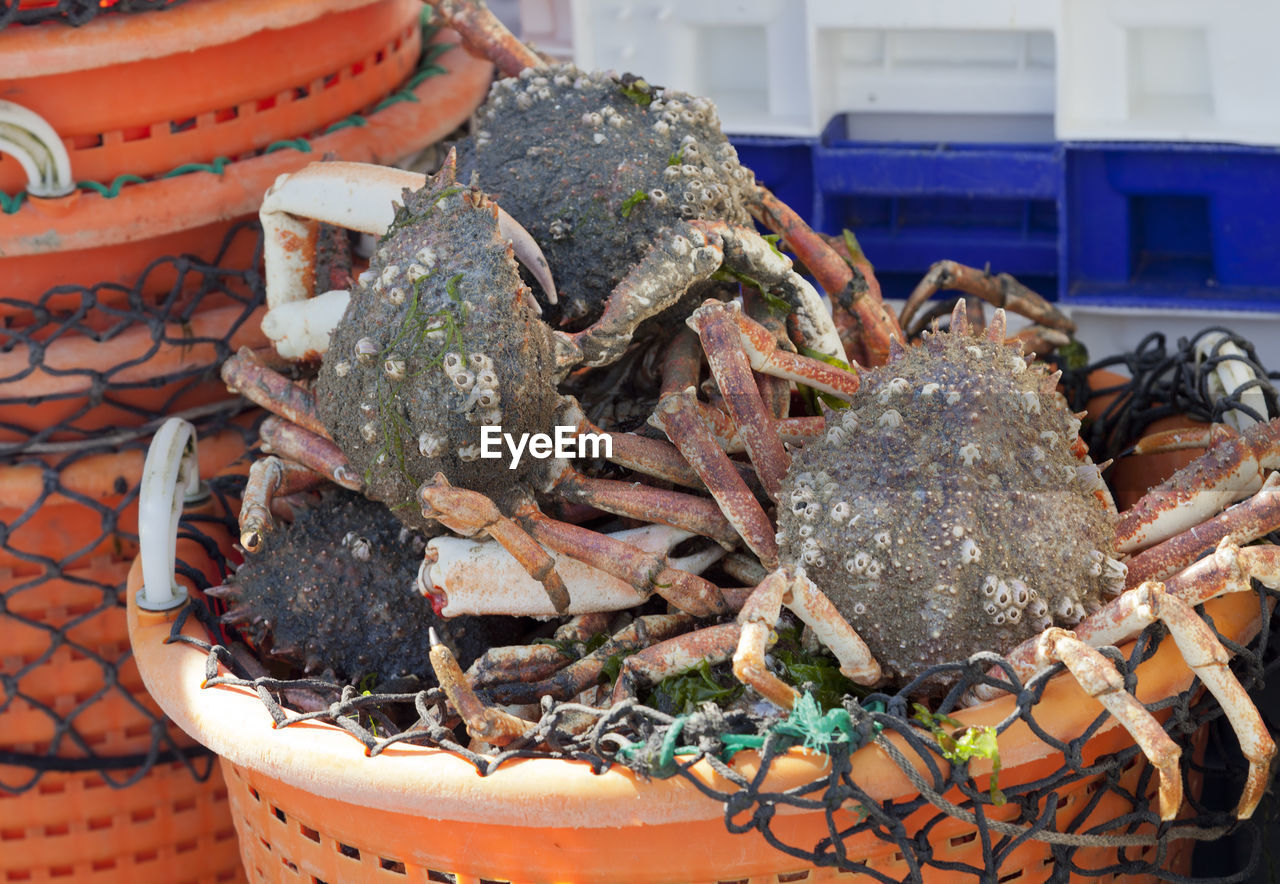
(912,205)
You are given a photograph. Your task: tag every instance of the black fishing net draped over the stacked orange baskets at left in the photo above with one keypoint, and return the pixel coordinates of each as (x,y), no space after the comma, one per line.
(75,436)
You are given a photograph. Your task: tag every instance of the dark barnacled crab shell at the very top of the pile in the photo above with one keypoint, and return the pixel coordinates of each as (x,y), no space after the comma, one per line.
(596,167)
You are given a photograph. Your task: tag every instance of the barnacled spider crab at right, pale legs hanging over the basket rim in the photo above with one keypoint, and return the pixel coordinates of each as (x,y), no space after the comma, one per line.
(952,509)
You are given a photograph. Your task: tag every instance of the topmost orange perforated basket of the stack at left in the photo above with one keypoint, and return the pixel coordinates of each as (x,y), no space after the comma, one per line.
(127,98)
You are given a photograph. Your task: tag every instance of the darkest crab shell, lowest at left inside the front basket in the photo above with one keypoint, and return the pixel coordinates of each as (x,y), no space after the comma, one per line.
(335,592)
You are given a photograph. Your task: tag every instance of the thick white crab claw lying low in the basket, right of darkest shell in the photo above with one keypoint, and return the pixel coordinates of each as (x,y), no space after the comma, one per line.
(481,578)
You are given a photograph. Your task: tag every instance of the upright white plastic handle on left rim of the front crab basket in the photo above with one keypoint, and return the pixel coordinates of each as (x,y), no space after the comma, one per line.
(171,477)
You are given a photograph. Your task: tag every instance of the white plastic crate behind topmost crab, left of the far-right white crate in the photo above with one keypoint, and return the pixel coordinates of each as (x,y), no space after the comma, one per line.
(985,68)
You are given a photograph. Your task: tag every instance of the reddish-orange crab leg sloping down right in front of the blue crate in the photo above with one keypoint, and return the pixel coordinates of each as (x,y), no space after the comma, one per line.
(851,283)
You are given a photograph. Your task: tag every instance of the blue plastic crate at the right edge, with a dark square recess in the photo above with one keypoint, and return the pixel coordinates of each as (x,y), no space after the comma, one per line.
(1172,226)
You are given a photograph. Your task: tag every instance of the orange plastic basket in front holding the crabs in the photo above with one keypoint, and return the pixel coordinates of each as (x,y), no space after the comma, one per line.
(309,805)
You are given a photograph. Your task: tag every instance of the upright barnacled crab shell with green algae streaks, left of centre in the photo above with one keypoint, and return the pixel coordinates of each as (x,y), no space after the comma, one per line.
(441,338)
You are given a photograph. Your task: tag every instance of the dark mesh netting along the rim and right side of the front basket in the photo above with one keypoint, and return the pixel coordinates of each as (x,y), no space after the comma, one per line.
(1095,812)
